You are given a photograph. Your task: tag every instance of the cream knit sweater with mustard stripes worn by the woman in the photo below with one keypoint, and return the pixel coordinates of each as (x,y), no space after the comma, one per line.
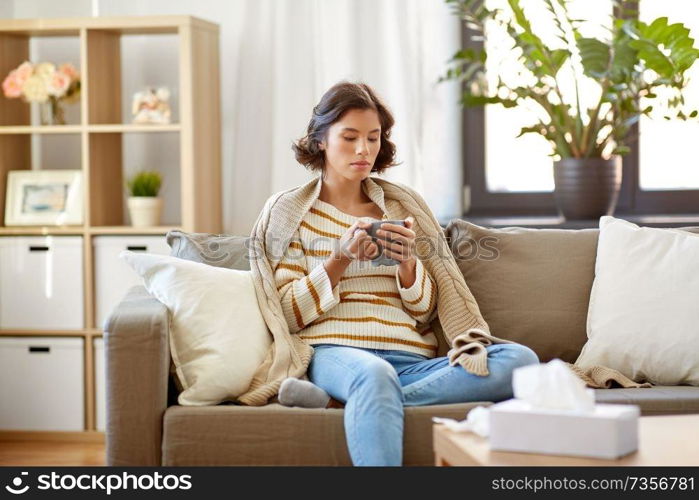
(367,308)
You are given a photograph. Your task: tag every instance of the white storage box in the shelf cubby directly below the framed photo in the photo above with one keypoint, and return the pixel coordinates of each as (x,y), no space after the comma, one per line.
(41,282)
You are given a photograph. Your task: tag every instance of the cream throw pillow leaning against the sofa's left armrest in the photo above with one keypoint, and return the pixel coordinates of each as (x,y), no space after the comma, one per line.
(218,337)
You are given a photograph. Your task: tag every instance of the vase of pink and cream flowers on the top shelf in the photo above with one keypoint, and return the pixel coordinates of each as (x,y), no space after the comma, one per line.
(44,83)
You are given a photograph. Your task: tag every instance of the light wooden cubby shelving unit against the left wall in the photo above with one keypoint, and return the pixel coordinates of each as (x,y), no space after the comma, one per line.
(101,129)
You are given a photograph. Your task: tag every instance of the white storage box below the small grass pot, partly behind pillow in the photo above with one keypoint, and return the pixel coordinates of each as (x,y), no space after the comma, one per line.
(113,276)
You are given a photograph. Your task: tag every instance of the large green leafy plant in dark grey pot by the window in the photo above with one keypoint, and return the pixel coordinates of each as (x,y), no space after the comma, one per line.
(638,67)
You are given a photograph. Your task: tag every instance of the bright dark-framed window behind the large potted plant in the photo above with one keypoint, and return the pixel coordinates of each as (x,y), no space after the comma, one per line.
(508,175)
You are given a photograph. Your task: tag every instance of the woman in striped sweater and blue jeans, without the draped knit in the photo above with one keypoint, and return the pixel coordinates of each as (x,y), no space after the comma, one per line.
(366,323)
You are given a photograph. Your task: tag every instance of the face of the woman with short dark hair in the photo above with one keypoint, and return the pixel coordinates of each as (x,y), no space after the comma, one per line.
(352,144)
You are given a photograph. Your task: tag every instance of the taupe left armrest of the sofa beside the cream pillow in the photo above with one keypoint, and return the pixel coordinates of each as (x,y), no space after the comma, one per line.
(137,364)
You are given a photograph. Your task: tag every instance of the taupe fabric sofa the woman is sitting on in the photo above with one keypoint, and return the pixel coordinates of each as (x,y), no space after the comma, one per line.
(532,287)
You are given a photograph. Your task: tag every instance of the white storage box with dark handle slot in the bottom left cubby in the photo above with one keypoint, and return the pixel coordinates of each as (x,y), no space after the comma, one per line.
(42,383)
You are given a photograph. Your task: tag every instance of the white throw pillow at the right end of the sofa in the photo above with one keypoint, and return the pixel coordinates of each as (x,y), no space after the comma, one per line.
(643,317)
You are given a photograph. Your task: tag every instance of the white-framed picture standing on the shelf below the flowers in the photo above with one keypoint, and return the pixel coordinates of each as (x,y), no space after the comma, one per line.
(44,198)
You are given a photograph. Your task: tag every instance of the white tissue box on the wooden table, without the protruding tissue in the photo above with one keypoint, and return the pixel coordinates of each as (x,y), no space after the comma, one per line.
(610,431)
